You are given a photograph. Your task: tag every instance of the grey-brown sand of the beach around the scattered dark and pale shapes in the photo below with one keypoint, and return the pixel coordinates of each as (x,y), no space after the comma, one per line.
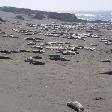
(26,87)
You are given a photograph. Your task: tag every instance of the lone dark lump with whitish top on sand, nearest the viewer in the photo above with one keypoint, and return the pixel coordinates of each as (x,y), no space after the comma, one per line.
(76,106)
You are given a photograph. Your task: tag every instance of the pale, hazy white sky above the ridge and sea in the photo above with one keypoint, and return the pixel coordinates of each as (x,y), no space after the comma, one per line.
(60,5)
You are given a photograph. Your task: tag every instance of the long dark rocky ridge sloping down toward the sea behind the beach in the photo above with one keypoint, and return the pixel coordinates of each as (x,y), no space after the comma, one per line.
(41,14)
